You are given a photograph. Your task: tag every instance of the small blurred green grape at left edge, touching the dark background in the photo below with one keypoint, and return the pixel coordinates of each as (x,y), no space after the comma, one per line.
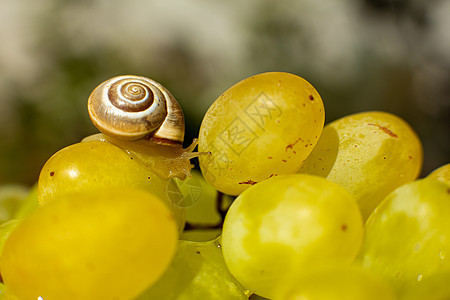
(11,197)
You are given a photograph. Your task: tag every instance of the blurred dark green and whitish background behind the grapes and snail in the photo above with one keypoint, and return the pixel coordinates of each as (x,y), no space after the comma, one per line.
(391,55)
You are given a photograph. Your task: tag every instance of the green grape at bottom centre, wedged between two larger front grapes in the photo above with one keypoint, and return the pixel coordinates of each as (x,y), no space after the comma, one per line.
(197,272)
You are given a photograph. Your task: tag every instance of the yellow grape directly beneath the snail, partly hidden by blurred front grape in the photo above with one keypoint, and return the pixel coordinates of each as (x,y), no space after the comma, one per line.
(97,165)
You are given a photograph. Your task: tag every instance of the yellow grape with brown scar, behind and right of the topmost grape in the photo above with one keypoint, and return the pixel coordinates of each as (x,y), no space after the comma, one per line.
(370,154)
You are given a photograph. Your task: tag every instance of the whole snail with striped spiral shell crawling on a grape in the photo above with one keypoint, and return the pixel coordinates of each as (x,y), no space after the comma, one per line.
(141,117)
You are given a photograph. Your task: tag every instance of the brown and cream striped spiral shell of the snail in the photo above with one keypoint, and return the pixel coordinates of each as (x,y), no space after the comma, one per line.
(135,107)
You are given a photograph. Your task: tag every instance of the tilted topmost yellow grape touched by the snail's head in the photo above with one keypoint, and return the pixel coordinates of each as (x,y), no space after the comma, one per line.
(261,127)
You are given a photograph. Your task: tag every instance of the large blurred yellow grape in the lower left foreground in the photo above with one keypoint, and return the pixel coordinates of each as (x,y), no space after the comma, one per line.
(92,245)
